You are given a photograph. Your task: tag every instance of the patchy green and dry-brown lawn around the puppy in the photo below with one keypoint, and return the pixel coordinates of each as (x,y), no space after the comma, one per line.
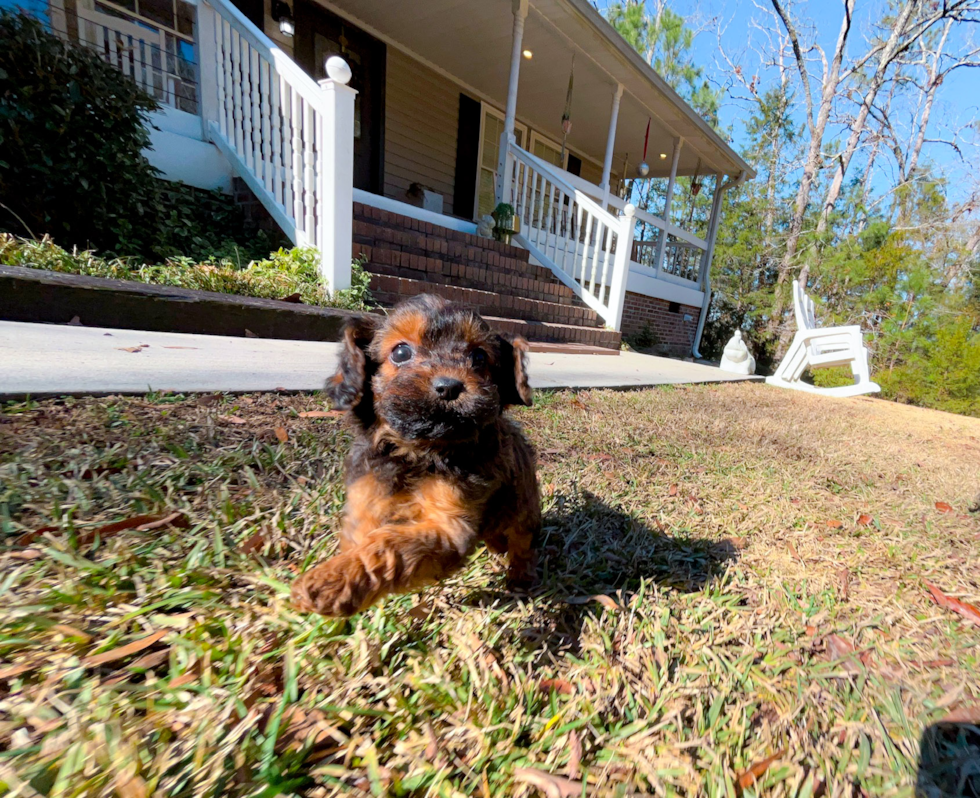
(733,599)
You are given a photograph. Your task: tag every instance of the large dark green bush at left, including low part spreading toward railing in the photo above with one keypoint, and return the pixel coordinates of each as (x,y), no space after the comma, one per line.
(73,129)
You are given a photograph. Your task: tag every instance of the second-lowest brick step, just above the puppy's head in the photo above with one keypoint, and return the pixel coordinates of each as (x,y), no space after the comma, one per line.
(388,290)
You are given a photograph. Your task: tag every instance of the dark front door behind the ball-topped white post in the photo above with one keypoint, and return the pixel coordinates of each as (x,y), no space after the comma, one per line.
(319,35)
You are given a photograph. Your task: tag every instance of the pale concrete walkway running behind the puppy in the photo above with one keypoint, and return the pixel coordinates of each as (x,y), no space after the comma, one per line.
(45,360)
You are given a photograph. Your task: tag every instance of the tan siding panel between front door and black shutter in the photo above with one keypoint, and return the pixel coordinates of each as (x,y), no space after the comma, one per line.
(421,120)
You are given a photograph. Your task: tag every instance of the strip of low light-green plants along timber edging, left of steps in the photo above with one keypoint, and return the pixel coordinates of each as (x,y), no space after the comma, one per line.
(282,274)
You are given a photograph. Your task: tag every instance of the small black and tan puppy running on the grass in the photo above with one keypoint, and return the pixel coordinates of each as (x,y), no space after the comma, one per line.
(436,466)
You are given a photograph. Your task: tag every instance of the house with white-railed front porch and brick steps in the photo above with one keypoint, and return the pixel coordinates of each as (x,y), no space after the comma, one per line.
(387,129)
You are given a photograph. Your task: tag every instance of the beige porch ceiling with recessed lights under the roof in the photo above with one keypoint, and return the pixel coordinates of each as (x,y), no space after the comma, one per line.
(471,41)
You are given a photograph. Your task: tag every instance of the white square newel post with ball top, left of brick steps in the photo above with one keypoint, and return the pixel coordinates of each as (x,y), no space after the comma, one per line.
(335,182)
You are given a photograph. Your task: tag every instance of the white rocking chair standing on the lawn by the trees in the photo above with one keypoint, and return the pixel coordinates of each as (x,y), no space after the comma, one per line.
(822,347)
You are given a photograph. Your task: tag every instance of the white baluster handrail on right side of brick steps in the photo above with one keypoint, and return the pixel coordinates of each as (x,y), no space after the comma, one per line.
(584,245)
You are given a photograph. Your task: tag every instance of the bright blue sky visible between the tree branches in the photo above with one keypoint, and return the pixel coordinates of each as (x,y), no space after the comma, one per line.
(744,27)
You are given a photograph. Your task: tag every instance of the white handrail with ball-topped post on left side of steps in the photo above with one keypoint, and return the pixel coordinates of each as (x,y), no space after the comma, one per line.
(290,139)
